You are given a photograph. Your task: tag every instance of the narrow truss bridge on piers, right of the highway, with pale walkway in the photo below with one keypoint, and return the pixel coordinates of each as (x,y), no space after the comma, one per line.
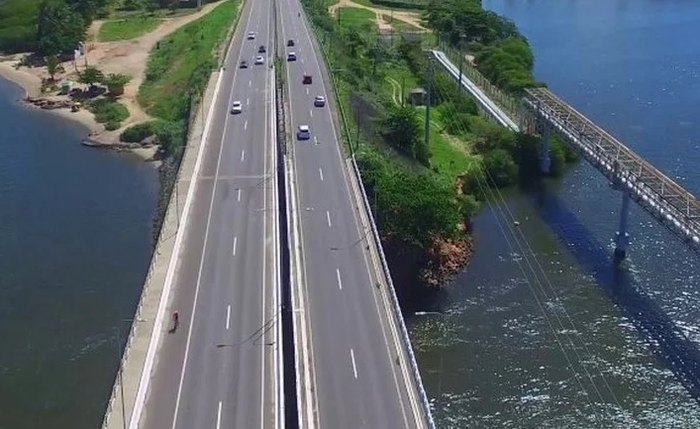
(544,113)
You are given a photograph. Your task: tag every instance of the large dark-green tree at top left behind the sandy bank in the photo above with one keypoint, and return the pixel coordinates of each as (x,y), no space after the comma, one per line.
(59,28)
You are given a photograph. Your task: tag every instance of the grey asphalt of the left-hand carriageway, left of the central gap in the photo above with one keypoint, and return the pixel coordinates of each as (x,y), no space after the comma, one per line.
(218,369)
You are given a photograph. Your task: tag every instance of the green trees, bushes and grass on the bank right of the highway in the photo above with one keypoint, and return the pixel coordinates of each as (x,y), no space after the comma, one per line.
(424,191)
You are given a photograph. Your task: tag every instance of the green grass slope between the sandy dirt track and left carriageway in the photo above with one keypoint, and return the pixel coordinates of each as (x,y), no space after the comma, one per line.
(183,63)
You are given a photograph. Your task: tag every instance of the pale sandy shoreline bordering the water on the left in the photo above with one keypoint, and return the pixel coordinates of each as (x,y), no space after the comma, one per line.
(30,84)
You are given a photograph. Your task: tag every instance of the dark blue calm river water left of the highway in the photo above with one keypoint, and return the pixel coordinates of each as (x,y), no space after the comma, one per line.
(75,230)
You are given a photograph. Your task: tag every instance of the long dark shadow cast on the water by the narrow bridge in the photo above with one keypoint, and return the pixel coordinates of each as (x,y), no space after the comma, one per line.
(657,329)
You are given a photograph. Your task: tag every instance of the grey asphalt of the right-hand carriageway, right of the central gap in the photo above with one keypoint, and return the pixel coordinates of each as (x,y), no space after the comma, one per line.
(358,381)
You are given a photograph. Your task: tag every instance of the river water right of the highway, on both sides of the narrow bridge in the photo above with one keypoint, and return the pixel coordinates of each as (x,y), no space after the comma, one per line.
(584,344)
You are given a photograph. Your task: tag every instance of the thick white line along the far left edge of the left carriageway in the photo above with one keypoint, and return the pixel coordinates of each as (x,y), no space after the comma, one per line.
(145,378)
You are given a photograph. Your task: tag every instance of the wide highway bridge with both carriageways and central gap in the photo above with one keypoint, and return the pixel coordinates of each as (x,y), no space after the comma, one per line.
(262,204)
